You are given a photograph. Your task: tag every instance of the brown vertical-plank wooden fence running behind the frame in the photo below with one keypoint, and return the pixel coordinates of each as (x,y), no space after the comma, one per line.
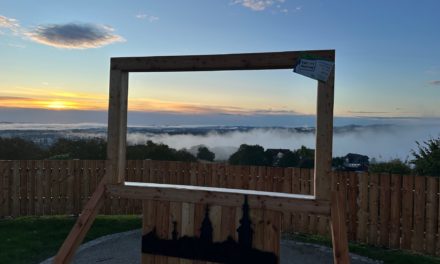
(395,211)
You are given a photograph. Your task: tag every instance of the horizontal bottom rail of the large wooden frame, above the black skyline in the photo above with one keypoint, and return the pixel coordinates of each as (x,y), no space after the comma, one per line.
(220,196)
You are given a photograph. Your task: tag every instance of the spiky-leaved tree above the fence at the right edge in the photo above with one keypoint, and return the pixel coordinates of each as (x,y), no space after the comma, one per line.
(427,158)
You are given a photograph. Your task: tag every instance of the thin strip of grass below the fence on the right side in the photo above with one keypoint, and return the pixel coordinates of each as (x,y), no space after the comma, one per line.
(389,256)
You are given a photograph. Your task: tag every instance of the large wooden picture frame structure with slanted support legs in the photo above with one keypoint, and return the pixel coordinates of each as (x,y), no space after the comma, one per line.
(323,201)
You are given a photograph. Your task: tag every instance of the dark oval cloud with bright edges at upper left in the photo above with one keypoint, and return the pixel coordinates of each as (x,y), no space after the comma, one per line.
(74,36)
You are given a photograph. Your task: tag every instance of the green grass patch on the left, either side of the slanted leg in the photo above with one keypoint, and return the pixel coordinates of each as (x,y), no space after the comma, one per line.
(33,239)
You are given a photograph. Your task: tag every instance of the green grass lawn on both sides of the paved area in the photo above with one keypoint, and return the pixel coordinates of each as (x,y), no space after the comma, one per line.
(33,239)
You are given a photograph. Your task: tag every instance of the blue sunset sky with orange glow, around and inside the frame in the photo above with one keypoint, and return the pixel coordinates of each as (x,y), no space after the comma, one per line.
(55,55)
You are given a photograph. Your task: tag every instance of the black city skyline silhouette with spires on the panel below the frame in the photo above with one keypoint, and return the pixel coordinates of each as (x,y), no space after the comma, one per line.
(203,248)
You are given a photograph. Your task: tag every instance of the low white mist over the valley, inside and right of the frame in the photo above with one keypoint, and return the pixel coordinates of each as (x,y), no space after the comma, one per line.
(380,142)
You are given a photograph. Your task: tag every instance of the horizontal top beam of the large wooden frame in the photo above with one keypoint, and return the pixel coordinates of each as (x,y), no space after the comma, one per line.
(218,62)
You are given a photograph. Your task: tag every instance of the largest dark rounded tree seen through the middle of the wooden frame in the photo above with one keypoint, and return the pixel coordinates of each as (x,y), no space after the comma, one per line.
(249,155)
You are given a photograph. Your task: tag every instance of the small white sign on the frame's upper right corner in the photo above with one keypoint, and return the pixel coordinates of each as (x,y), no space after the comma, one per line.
(315,69)
